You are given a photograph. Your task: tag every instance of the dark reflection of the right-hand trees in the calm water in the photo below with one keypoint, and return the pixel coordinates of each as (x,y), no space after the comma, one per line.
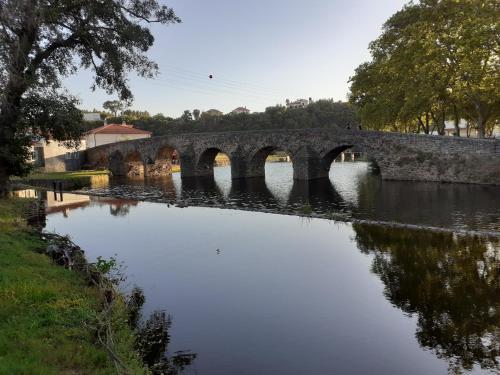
(452,284)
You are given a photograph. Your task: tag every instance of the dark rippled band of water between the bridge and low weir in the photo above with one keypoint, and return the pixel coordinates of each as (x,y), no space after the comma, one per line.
(365,197)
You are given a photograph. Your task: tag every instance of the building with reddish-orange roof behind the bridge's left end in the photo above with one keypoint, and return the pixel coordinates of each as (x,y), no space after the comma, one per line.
(111,133)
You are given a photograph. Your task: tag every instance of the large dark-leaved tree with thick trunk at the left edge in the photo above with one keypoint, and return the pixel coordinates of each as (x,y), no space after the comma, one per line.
(44,40)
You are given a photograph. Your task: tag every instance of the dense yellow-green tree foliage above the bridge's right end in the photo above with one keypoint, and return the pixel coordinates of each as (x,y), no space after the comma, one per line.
(435,60)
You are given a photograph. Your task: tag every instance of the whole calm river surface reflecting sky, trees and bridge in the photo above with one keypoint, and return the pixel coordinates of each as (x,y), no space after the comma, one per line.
(256,292)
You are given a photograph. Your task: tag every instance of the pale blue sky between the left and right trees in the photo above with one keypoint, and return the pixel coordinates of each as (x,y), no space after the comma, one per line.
(259,52)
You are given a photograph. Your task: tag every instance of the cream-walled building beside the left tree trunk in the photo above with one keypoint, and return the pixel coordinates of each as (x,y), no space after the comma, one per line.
(53,156)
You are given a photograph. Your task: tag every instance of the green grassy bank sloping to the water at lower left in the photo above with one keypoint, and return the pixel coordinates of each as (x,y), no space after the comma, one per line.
(45,309)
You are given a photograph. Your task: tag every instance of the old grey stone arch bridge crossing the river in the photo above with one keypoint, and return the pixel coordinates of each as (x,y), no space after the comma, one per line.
(398,156)
